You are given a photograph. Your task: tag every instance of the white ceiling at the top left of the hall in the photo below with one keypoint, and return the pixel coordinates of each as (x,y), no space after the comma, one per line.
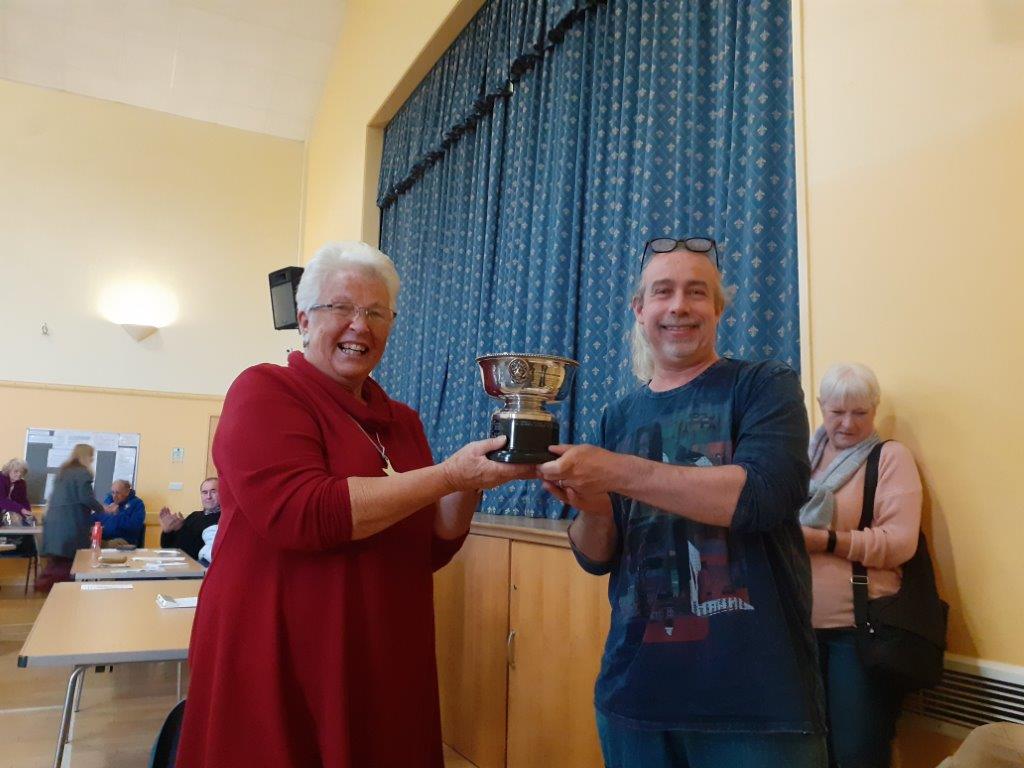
(258,65)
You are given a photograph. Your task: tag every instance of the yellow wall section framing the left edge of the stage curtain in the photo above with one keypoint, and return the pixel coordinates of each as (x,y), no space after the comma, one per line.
(370,78)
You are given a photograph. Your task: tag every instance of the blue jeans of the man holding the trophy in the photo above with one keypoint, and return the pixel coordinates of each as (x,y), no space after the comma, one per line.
(627,748)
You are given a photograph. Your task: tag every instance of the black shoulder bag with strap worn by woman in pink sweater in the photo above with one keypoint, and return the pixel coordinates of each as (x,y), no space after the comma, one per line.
(903,636)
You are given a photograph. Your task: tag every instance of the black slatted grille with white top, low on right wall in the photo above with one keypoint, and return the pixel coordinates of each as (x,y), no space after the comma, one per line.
(973,693)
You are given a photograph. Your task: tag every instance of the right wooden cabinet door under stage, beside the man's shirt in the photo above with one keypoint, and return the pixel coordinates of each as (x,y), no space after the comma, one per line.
(561,617)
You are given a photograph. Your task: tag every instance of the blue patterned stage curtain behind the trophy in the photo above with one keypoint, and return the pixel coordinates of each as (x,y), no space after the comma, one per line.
(522,180)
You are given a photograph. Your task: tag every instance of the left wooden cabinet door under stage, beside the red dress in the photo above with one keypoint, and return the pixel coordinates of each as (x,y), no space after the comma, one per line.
(472,629)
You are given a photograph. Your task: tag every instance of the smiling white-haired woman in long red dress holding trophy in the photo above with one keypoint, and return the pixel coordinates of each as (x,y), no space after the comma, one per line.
(314,642)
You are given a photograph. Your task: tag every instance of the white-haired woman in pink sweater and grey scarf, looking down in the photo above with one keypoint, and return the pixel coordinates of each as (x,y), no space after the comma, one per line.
(863,705)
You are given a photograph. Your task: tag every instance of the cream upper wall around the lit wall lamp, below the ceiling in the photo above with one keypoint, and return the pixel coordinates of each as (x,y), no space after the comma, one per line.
(96,194)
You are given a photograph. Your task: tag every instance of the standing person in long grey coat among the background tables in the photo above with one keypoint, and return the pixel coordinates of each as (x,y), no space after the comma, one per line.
(66,527)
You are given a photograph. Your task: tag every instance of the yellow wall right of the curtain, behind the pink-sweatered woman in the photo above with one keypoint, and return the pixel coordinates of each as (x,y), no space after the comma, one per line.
(915,119)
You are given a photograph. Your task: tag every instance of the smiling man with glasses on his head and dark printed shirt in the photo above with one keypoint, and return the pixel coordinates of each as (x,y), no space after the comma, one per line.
(691,504)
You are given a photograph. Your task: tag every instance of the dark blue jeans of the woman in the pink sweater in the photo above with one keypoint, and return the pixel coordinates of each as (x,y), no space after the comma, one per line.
(863,707)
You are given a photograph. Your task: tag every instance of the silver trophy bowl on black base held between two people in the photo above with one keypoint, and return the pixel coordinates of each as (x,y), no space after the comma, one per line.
(526,382)
